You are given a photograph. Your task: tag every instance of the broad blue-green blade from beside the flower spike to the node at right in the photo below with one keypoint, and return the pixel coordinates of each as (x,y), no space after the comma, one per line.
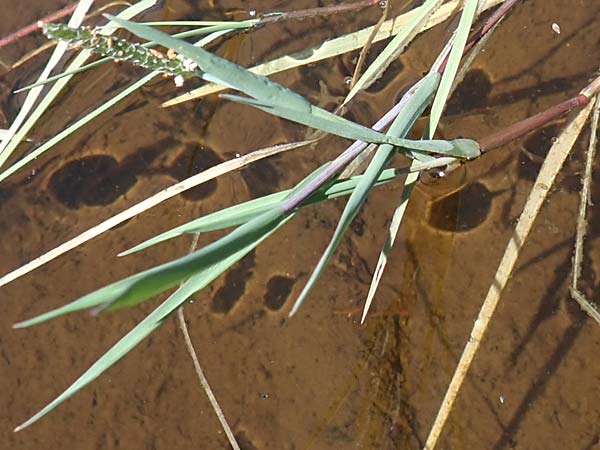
(276,99)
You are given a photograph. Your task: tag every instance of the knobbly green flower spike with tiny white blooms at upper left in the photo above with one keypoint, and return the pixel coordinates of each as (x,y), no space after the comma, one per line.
(120,49)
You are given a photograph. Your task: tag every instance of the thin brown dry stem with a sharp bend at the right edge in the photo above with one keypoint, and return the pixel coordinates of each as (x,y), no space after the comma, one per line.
(585,305)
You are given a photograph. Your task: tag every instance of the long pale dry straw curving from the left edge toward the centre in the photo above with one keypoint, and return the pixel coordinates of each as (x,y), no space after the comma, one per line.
(150,202)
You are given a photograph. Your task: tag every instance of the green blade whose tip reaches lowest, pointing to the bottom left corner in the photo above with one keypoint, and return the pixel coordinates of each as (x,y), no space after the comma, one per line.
(194,284)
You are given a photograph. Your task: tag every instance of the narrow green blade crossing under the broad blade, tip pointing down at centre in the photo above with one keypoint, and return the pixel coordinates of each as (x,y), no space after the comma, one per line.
(420,96)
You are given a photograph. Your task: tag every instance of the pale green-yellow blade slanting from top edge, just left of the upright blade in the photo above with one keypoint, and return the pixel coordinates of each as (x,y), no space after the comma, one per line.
(395,47)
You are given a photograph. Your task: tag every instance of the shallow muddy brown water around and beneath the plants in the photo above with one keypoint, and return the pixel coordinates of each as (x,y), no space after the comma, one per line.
(320,380)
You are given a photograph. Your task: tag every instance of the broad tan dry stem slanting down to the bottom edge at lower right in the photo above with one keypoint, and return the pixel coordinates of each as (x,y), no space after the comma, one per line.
(552,164)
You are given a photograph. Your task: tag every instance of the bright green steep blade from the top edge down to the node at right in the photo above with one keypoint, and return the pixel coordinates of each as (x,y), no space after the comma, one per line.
(460,40)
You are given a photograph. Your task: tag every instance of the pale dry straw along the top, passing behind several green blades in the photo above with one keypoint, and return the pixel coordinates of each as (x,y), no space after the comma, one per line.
(337,46)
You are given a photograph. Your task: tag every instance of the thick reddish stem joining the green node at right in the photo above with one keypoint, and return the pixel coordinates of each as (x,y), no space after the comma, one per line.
(535,122)
